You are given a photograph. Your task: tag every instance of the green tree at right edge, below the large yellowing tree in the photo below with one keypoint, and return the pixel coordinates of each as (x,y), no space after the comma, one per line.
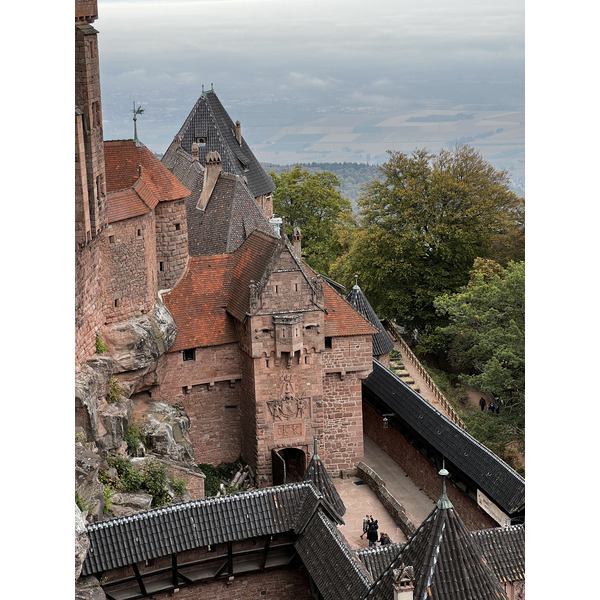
(487,332)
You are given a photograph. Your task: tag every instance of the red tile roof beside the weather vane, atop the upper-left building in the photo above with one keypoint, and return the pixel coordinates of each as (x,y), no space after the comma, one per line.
(123,159)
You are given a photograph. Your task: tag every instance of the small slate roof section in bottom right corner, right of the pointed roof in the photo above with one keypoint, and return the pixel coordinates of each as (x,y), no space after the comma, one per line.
(504,551)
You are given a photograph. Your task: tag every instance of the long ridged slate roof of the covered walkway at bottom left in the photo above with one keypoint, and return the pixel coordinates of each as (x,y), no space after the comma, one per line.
(175,528)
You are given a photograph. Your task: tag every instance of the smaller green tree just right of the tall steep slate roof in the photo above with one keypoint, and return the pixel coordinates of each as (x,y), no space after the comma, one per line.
(312,202)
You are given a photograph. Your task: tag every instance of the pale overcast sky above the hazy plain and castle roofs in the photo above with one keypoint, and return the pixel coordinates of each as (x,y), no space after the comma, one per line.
(278,60)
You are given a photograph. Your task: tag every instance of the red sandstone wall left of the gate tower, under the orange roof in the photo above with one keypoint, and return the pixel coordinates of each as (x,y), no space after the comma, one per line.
(209,390)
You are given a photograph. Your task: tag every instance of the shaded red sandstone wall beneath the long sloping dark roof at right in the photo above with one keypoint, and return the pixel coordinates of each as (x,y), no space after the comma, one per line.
(422,472)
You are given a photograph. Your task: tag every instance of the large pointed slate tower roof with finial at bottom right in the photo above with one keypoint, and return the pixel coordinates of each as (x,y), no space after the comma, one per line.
(448,563)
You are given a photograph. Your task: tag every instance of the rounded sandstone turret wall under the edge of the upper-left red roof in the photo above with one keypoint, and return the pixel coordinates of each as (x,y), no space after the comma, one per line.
(171,242)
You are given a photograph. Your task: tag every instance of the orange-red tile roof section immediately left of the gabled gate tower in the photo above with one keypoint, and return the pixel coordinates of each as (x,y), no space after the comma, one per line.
(198,303)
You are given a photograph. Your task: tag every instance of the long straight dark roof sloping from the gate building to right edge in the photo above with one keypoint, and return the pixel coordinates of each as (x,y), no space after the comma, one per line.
(494,477)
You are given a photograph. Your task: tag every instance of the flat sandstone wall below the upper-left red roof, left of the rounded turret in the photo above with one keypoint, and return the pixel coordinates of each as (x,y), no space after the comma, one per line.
(129,272)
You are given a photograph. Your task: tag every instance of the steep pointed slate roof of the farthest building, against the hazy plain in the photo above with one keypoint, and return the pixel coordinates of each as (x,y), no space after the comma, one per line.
(209,120)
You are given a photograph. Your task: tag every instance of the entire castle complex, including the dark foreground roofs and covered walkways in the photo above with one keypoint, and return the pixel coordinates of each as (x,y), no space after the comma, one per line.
(185,279)
